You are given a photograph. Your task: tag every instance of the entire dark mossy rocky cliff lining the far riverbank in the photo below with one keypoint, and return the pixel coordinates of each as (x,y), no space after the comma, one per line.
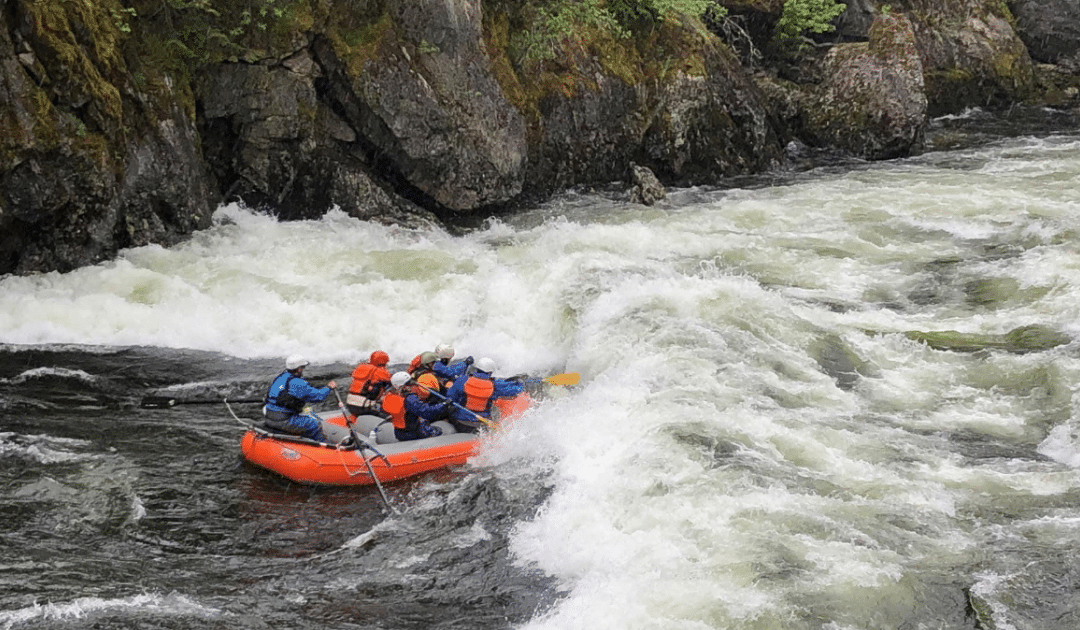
(126,124)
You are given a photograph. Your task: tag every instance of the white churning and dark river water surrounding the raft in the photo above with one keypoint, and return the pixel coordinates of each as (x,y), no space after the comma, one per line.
(843,398)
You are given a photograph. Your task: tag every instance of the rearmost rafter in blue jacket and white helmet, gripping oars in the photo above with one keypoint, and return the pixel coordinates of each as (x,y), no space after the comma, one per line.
(286,399)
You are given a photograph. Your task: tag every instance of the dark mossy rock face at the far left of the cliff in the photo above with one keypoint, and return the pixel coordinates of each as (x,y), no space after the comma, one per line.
(89,164)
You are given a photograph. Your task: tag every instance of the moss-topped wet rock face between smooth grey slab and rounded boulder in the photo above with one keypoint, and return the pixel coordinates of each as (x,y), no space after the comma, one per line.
(699,120)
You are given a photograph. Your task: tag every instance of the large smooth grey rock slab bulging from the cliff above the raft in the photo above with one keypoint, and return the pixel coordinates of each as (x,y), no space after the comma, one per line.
(430,106)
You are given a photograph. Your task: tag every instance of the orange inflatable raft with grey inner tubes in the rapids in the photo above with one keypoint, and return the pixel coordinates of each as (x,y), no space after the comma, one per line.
(313,463)
